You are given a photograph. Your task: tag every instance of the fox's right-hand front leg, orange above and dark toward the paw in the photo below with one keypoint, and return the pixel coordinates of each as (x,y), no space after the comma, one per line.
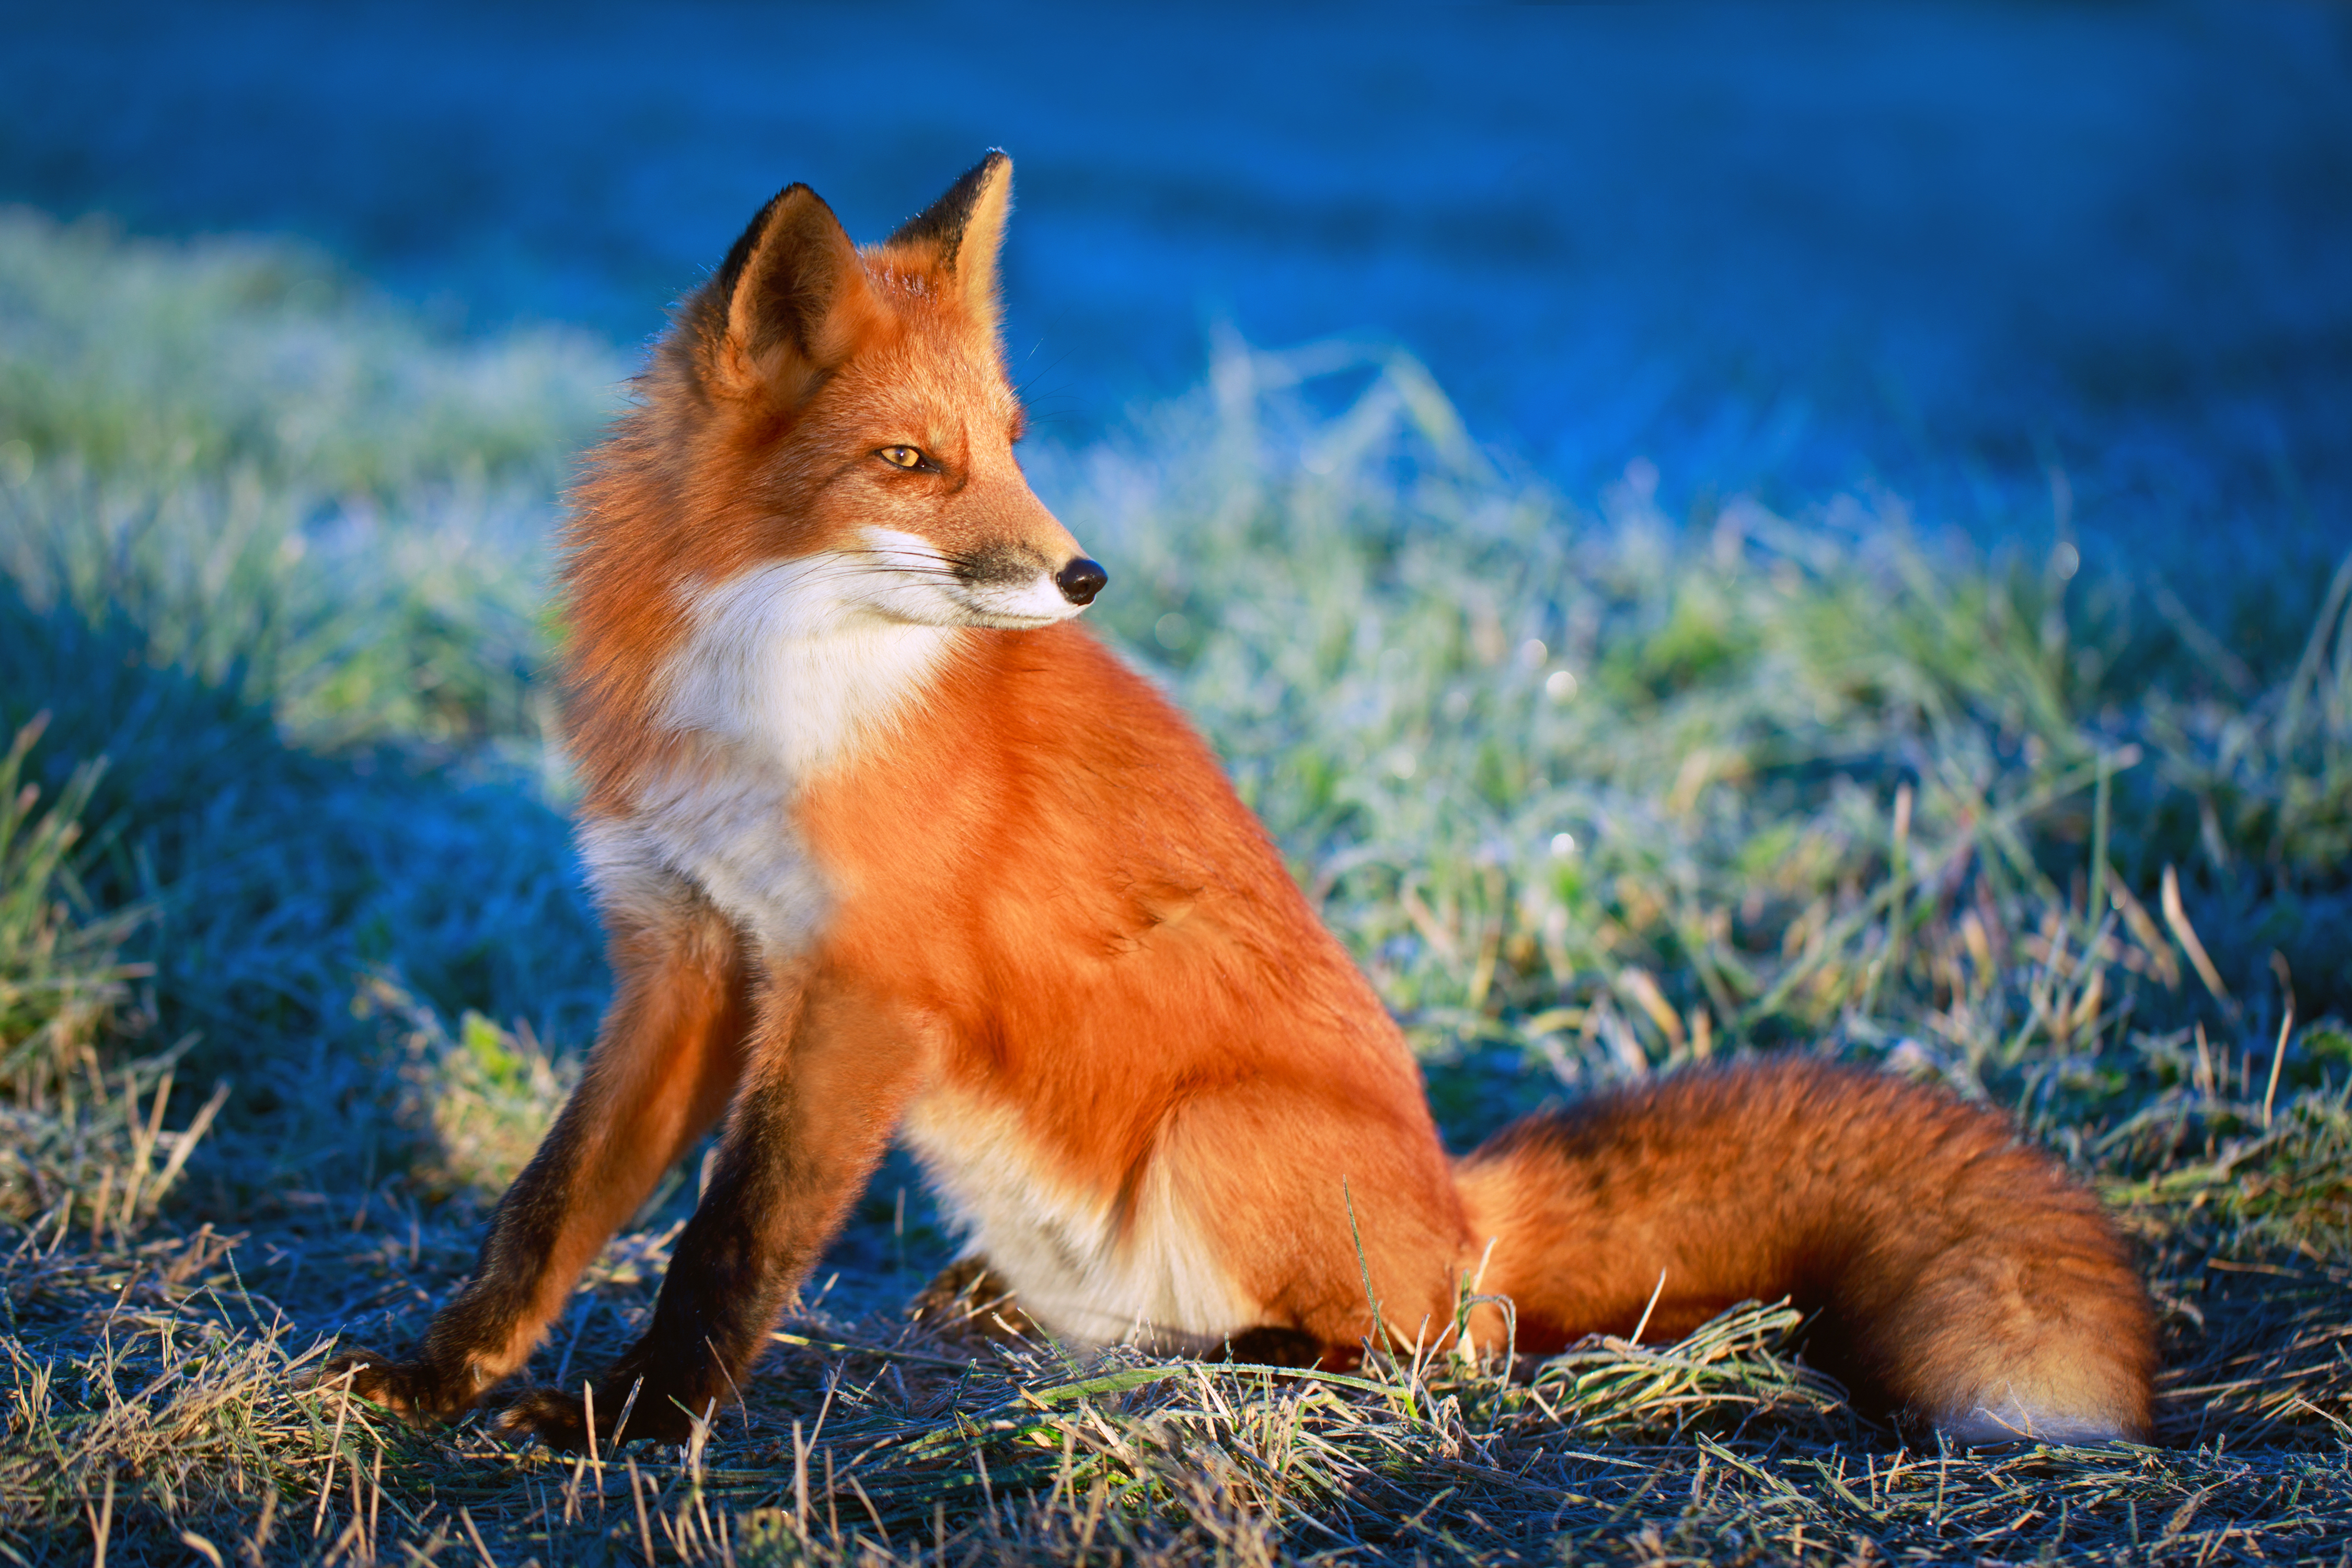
(820,1101)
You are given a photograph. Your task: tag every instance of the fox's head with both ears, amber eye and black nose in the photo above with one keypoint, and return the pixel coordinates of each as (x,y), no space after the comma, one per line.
(853,406)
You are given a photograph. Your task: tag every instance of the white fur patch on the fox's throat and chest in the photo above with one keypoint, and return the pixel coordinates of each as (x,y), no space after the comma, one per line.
(787,674)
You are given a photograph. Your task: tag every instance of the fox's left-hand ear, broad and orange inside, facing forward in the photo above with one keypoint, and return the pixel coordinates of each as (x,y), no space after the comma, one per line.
(789,304)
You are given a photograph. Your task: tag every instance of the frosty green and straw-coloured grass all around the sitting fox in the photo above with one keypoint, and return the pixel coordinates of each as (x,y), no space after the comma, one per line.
(293,963)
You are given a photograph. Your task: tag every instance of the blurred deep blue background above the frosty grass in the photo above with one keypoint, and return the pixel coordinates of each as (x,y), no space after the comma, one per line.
(1789,250)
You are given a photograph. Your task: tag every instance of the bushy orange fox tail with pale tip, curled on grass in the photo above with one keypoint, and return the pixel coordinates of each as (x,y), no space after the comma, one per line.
(1956,1275)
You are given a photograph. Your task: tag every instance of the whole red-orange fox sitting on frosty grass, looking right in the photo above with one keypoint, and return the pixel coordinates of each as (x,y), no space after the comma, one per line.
(888,847)
